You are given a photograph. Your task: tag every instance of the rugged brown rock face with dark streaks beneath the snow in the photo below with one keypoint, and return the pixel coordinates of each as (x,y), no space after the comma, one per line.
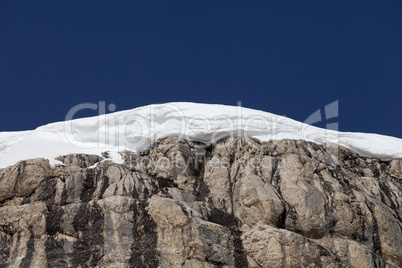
(238,203)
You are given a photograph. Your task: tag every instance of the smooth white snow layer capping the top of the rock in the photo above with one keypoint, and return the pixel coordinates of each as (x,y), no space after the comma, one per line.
(136,129)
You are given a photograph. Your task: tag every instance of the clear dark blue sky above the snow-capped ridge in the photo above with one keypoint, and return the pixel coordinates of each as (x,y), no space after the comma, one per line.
(285,57)
